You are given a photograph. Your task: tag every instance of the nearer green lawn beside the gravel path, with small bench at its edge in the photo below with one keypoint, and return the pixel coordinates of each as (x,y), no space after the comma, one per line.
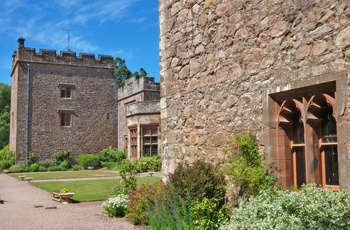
(88,190)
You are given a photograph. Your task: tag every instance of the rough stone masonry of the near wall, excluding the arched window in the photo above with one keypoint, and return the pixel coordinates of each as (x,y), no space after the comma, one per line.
(220,59)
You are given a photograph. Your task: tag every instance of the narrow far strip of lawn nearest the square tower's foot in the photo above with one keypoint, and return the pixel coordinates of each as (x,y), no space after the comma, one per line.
(66,174)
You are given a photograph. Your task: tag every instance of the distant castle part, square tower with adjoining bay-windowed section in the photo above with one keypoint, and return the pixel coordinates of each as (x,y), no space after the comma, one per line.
(69,102)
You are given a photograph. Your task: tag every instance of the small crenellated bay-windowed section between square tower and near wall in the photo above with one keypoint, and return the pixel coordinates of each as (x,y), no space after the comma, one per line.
(139,117)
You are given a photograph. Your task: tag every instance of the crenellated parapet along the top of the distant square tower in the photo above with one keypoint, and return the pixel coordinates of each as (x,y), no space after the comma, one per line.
(64,57)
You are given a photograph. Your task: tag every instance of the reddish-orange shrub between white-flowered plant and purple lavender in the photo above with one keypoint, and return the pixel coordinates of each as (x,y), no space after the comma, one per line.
(142,199)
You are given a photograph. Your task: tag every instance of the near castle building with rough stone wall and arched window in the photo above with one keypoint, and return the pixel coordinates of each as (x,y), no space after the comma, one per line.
(278,69)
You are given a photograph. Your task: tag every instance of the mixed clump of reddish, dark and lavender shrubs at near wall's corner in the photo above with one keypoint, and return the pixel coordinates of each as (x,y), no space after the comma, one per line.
(193,199)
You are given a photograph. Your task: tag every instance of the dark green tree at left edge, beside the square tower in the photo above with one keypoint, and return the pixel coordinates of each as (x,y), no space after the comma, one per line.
(5,99)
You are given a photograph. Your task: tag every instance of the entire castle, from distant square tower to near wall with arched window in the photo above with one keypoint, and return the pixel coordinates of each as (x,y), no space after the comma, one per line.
(278,69)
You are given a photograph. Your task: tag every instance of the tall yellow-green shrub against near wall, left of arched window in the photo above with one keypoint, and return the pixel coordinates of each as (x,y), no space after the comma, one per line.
(246,169)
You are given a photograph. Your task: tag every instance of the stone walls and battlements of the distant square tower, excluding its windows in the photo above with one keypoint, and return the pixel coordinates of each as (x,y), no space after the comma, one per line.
(93,103)
